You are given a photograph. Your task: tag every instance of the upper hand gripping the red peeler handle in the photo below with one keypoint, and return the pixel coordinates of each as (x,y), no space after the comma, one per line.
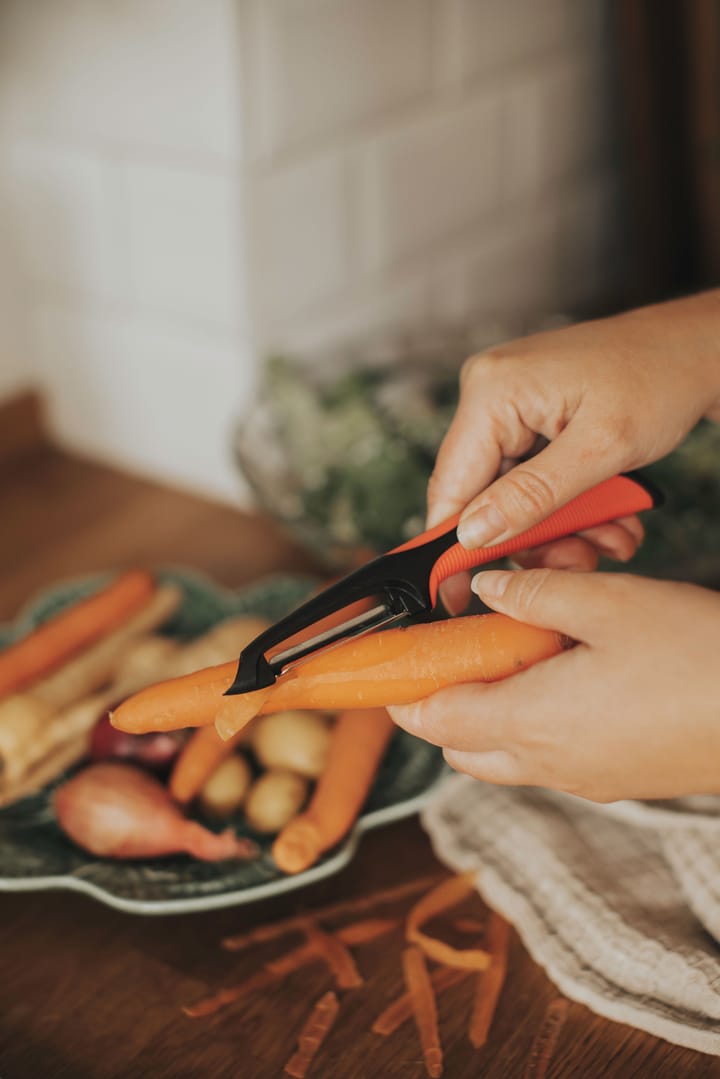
(594,400)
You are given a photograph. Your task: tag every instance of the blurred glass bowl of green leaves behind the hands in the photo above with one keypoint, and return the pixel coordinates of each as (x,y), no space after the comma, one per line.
(341,450)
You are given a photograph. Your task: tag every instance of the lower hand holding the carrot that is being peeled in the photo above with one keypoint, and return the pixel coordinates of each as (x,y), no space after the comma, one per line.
(633,712)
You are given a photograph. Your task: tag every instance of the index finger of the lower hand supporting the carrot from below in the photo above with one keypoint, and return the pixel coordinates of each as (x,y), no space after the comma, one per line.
(458,717)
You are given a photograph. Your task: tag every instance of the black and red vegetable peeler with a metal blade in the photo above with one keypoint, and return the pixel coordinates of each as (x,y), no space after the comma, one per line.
(404,584)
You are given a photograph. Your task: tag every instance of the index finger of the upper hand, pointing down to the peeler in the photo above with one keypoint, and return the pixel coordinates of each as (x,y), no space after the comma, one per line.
(468,461)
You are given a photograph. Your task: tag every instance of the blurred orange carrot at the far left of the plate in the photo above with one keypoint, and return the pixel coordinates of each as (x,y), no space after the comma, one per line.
(62,637)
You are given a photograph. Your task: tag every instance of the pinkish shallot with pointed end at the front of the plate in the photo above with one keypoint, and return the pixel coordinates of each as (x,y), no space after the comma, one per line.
(116,811)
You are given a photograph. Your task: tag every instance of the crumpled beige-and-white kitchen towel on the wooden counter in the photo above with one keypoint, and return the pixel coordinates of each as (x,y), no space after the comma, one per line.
(620,904)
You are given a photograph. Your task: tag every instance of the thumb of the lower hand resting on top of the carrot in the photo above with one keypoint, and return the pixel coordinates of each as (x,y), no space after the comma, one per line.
(578,605)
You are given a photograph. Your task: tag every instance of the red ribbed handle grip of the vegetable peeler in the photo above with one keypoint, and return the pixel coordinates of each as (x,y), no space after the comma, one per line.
(619,497)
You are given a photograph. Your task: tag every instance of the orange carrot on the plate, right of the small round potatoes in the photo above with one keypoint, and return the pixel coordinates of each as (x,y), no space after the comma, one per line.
(357,749)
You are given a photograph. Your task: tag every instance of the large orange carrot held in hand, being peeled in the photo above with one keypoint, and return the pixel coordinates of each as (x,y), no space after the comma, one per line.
(396,667)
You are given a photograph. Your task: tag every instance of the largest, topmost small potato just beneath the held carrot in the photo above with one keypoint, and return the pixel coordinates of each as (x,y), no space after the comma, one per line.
(297,742)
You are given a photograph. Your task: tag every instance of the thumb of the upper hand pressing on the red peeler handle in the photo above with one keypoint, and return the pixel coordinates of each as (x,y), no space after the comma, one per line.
(532,491)
